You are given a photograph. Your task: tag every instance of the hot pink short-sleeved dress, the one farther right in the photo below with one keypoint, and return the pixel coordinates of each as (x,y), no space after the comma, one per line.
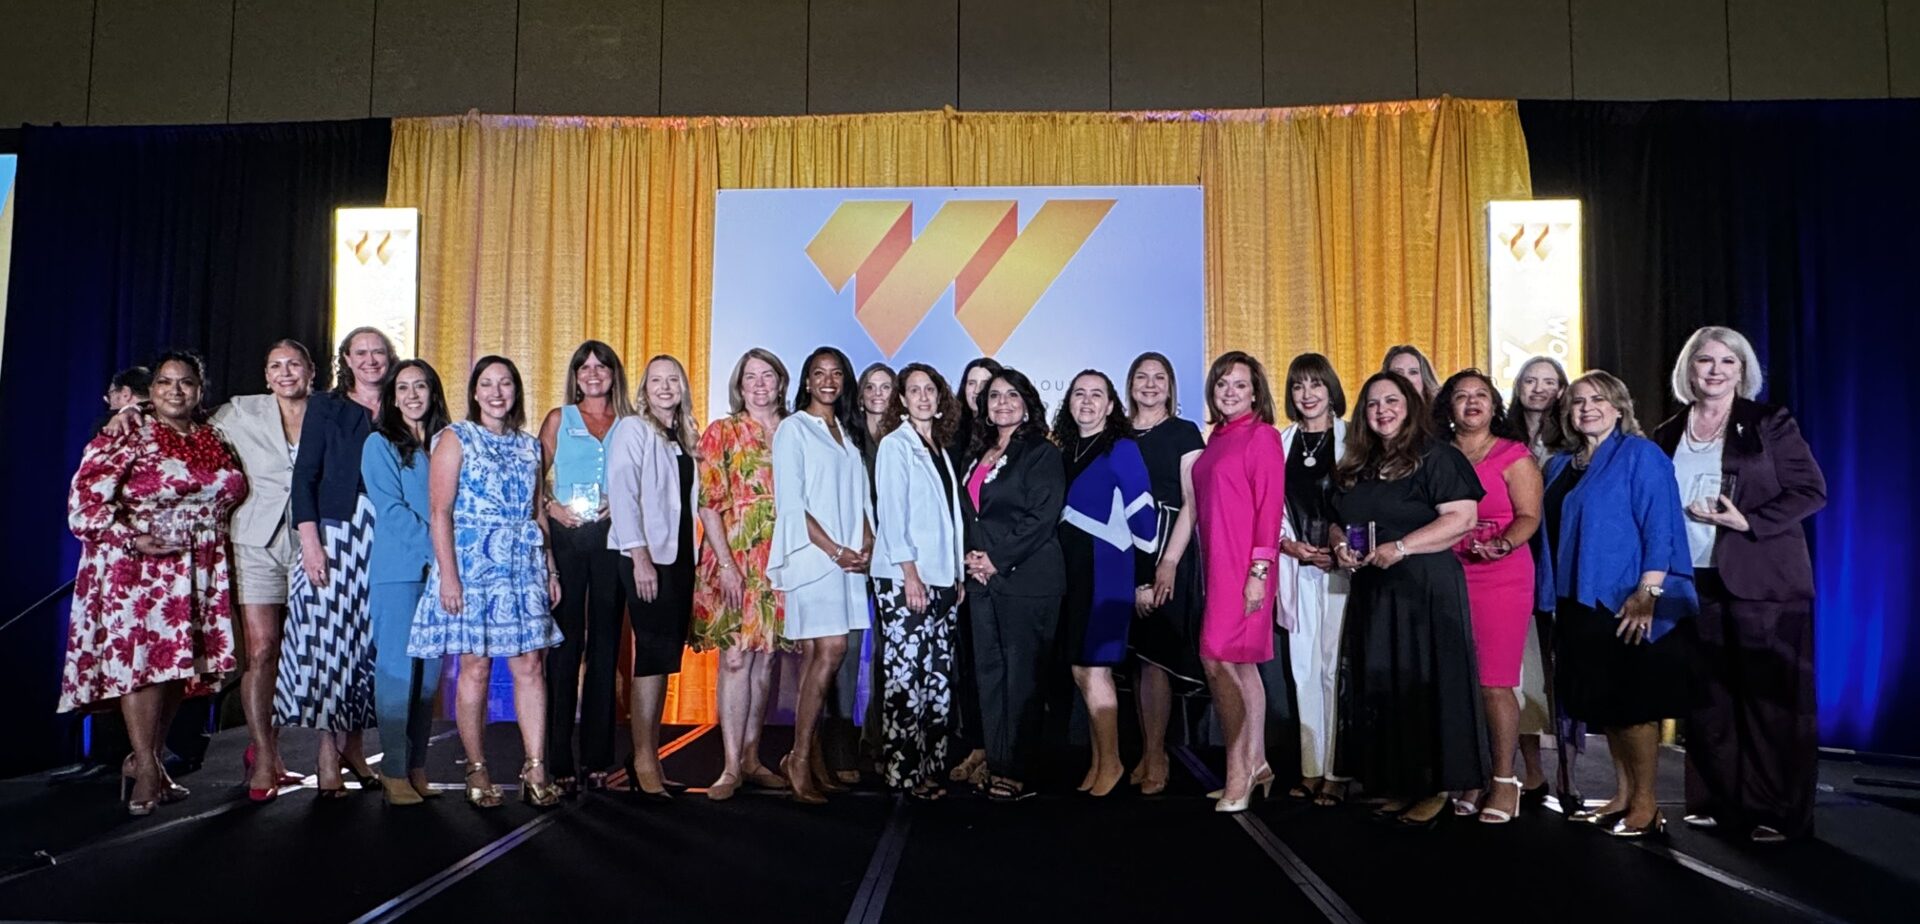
(1499,593)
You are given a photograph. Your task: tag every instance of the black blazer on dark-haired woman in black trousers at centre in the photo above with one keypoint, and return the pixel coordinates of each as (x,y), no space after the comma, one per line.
(1017,520)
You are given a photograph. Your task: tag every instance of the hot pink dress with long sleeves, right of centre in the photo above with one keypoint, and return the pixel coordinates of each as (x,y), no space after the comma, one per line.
(1239,500)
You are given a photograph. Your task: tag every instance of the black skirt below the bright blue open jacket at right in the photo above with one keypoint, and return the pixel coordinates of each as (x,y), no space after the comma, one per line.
(1608,683)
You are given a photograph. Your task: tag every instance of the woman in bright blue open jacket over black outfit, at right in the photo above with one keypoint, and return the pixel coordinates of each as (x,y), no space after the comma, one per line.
(1614,560)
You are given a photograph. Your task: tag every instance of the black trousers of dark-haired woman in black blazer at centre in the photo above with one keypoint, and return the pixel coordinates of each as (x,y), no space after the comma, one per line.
(1013,650)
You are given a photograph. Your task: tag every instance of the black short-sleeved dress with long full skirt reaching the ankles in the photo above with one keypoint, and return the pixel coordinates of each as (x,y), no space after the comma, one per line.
(1412,721)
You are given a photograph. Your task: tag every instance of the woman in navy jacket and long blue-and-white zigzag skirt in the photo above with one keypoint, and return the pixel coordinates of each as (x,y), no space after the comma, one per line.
(327,652)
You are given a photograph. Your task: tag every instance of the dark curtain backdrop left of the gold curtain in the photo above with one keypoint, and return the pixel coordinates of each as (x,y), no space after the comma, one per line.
(128,243)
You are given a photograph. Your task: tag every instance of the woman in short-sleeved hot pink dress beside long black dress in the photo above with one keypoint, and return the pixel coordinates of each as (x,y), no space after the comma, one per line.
(1500,571)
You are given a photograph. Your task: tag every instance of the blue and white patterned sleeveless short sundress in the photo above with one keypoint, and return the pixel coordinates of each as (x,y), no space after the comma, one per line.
(498,548)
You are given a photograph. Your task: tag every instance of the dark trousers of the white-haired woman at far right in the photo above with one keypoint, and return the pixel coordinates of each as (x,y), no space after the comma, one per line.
(1752,737)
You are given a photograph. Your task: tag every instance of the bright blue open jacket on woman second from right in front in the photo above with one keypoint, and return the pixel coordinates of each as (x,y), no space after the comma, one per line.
(1623,520)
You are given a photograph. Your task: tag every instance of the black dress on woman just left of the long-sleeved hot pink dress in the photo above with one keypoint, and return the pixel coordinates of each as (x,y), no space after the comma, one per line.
(1170,639)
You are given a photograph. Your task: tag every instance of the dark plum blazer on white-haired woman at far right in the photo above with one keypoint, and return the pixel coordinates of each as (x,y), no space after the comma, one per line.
(1781,485)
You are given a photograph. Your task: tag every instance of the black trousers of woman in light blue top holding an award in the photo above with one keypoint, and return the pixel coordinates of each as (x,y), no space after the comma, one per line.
(592,608)
